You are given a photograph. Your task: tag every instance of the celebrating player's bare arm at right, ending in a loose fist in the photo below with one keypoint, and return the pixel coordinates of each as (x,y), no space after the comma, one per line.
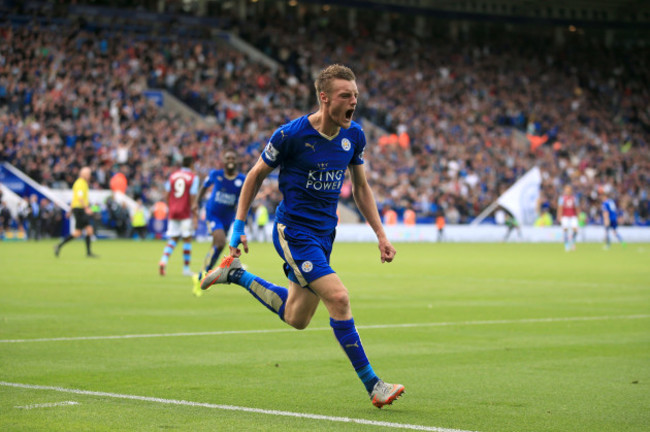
(366,203)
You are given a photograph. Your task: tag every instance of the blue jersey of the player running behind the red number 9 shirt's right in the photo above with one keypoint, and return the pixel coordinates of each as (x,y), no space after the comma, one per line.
(222,202)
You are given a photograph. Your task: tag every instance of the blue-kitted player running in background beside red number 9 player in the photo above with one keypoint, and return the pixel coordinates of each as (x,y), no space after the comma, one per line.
(220,207)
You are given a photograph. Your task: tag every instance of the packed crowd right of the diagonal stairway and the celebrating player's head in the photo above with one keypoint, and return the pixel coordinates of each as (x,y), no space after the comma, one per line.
(478,114)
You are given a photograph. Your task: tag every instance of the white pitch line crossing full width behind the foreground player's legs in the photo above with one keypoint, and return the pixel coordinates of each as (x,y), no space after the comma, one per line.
(367,327)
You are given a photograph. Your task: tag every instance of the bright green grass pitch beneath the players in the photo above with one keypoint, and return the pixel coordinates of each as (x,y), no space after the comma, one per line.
(481,354)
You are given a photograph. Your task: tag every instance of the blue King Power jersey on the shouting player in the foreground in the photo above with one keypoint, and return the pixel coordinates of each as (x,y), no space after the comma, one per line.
(312,170)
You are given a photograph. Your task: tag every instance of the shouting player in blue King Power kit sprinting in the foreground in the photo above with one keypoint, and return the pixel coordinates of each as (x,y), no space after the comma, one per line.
(313,153)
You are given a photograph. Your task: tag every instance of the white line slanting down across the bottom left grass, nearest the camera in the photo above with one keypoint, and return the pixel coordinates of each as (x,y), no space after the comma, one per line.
(235,408)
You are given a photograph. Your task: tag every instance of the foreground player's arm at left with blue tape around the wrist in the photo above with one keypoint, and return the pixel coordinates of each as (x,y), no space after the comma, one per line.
(252,184)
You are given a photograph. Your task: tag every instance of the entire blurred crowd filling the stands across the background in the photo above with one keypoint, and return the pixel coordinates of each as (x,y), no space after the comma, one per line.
(457,121)
